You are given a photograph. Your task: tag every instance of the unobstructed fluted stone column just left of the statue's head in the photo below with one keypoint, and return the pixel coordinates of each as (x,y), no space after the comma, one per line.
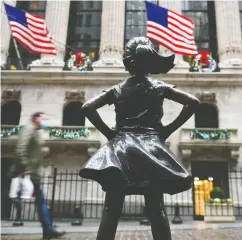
(112,36)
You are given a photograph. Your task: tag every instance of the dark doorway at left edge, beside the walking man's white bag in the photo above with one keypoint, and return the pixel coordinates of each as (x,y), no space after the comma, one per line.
(5,186)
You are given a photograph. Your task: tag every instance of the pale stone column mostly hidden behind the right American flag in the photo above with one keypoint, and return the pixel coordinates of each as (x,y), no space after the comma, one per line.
(181,65)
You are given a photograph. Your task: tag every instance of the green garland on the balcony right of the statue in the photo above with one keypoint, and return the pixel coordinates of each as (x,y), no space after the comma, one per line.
(205,135)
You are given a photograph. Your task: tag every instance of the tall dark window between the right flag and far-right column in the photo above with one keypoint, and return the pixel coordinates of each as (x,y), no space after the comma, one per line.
(203,15)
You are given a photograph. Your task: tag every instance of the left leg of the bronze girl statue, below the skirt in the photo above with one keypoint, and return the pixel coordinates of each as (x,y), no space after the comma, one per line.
(111,213)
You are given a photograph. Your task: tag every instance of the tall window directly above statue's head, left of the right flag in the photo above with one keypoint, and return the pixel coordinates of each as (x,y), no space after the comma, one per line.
(135,20)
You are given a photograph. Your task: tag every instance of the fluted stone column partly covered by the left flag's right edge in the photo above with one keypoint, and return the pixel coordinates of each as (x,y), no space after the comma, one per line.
(57,18)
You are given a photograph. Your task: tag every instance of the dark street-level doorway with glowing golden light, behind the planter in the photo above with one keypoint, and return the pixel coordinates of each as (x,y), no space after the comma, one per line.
(207,175)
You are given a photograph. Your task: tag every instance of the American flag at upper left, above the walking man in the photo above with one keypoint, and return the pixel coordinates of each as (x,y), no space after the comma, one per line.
(30,30)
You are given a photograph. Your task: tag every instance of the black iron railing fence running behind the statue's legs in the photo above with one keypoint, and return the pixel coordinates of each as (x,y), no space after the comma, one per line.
(66,192)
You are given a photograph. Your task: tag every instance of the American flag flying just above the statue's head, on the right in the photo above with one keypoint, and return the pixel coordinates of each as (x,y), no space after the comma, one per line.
(170,29)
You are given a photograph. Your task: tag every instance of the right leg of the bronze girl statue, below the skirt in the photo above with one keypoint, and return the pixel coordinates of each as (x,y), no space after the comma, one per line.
(156,212)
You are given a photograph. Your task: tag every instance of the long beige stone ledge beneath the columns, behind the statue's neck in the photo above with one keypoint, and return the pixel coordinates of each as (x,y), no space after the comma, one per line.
(114,77)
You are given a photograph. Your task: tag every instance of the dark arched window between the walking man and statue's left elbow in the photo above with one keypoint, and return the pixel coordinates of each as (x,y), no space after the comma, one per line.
(72,115)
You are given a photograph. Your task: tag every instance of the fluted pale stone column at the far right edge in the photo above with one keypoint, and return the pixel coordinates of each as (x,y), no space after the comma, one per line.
(229,35)
